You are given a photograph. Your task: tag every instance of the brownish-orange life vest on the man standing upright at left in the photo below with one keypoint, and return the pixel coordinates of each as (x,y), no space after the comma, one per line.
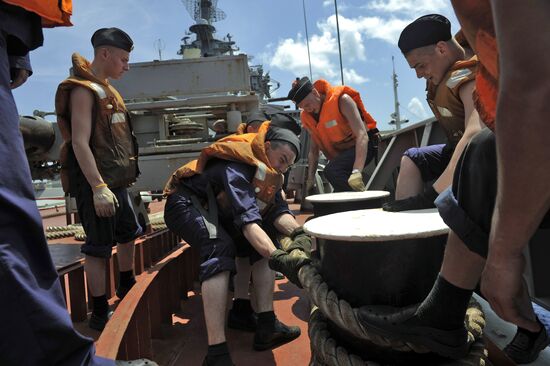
(112,141)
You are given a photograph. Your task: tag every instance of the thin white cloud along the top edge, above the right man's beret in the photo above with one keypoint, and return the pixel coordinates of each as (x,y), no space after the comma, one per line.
(409,7)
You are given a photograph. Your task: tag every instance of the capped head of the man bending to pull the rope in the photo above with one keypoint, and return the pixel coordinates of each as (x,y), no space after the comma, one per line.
(282,148)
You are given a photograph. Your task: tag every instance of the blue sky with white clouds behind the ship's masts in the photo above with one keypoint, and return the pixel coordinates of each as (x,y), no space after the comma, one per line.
(270,32)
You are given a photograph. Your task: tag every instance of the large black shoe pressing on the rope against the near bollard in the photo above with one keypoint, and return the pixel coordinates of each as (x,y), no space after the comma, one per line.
(402,324)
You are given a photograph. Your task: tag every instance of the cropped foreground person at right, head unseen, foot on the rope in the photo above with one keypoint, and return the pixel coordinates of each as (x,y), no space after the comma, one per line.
(492,216)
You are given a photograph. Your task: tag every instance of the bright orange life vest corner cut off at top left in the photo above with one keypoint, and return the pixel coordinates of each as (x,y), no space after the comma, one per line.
(54,13)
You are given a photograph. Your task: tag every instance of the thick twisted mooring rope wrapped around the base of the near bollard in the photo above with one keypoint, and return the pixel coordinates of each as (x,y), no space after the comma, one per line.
(344,316)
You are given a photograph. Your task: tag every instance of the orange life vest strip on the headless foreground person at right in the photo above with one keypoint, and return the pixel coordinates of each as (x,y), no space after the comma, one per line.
(476,19)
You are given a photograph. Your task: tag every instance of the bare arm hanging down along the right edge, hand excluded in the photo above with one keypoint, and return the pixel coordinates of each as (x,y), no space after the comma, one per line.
(523,146)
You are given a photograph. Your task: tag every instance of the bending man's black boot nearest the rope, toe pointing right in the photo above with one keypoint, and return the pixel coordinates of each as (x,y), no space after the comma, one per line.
(272,333)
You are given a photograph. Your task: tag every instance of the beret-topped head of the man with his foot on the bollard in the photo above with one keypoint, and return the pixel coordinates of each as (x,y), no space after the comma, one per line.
(429,47)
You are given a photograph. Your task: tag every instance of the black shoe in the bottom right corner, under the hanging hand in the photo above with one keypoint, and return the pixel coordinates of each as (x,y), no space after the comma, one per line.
(526,349)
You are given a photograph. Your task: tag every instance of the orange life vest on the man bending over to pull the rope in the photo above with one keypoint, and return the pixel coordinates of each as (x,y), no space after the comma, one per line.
(248,148)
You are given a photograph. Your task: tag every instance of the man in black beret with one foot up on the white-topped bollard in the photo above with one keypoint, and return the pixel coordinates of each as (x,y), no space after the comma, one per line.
(437,57)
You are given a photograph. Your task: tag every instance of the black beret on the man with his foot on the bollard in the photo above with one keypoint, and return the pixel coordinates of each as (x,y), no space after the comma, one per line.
(424,31)
